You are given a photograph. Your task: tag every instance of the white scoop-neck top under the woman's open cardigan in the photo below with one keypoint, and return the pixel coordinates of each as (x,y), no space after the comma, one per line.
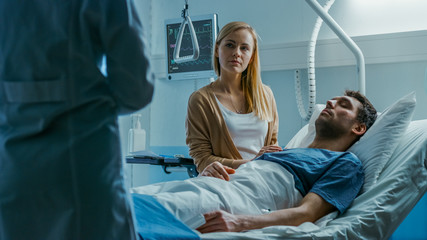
(247,131)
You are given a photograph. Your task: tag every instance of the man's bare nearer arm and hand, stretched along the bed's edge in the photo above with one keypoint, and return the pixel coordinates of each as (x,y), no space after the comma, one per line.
(312,208)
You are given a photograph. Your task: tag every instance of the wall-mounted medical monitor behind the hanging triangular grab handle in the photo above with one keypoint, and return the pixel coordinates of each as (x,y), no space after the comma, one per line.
(206,28)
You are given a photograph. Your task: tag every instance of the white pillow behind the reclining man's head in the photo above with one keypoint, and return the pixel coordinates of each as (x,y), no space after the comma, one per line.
(376,146)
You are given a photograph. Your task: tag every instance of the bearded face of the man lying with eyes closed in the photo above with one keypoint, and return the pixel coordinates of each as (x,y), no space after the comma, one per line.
(339,117)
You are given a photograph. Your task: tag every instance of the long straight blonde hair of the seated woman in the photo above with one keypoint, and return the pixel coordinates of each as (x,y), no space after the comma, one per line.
(253,89)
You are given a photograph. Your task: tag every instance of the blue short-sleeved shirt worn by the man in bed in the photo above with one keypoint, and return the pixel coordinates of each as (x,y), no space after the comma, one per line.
(335,176)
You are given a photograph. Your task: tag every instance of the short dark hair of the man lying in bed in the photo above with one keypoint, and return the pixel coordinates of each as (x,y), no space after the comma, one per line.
(367,114)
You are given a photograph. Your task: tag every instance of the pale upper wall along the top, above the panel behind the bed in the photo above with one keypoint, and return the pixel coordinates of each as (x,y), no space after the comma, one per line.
(284,21)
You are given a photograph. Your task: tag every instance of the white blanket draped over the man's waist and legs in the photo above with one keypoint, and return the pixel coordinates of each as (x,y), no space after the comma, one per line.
(255,188)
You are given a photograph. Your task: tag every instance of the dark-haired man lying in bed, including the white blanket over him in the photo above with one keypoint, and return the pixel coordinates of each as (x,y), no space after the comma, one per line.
(279,188)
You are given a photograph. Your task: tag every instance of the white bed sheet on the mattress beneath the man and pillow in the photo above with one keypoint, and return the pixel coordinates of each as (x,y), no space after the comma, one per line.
(376,213)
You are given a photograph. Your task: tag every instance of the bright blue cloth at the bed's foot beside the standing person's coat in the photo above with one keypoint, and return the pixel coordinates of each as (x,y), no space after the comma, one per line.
(154,222)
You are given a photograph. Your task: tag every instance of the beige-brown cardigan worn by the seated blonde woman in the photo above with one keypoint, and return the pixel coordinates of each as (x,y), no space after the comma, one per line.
(207,135)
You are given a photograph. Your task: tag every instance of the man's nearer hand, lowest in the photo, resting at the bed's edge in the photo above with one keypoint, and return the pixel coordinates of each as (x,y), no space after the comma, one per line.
(221,221)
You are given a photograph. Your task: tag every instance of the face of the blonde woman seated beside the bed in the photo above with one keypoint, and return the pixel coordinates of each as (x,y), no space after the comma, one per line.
(235,51)
